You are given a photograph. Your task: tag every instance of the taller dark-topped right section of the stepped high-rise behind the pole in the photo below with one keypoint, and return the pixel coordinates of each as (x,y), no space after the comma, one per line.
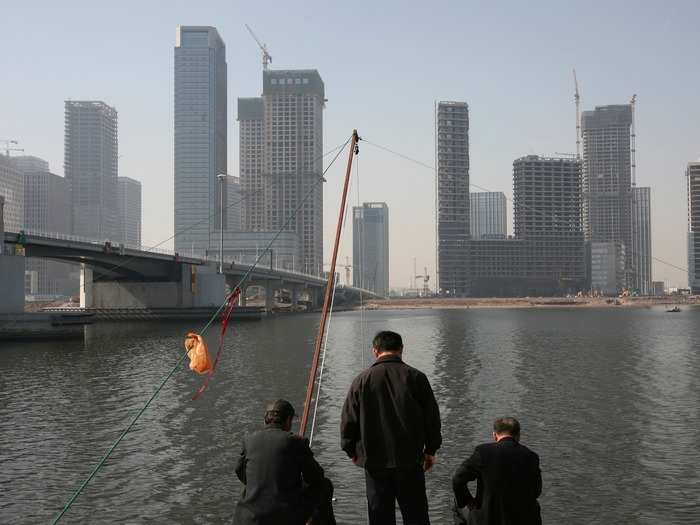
(293,103)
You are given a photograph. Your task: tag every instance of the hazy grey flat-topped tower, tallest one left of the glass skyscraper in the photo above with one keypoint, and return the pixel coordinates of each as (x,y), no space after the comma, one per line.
(90,166)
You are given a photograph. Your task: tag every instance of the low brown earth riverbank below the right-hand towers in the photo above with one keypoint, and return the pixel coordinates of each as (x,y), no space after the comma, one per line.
(527,302)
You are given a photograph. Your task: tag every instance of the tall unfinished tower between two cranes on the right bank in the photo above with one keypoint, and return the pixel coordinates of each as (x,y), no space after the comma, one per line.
(607,176)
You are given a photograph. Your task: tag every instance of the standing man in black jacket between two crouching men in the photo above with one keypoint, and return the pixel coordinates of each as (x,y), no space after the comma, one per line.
(390,425)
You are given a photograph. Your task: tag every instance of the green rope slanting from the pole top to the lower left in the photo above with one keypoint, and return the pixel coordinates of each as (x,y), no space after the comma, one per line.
(109,451)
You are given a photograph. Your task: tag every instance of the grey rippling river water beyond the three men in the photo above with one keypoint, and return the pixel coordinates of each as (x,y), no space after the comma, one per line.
(608,398)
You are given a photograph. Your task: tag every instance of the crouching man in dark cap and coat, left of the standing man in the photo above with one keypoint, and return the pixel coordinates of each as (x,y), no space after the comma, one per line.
(284,485)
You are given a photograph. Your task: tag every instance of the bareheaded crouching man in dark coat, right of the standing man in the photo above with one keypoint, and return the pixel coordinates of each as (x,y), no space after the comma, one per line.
(508,481)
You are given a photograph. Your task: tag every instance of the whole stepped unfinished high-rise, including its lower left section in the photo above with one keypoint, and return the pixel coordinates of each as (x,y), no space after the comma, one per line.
(281,164)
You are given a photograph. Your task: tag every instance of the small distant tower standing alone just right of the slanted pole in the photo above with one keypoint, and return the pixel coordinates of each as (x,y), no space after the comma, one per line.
(370,247)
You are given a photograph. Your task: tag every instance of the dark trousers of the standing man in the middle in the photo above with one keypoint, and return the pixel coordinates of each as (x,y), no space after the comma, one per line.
(386,486)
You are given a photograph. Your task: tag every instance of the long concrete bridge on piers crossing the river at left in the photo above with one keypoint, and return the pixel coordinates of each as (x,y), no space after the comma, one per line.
(121,277)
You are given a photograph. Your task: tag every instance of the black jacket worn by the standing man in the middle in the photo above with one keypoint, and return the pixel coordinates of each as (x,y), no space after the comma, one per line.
(390,417)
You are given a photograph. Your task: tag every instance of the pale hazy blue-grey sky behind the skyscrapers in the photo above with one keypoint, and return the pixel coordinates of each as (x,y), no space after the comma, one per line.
(384,65)
